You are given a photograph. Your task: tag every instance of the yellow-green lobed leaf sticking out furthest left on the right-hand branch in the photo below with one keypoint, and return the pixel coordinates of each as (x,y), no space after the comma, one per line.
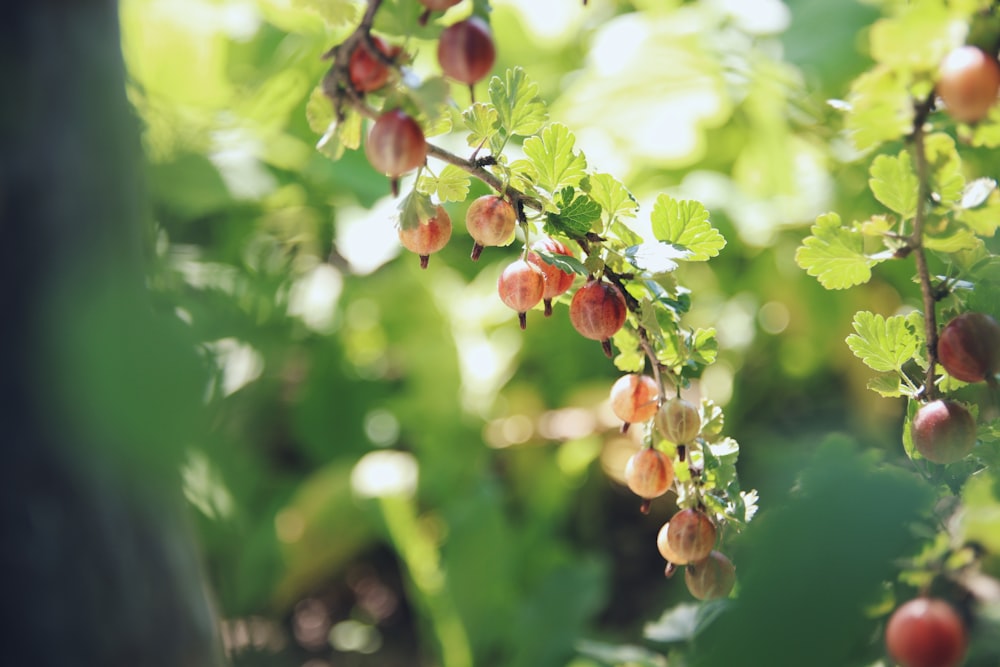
(835,255)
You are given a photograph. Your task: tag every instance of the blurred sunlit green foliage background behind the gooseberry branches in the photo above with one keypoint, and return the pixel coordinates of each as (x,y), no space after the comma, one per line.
(496,531)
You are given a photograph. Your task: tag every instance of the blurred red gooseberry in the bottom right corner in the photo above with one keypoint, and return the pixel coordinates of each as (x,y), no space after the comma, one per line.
(926,632)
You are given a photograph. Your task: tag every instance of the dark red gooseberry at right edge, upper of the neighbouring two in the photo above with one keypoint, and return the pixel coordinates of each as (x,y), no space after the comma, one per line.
(969,347)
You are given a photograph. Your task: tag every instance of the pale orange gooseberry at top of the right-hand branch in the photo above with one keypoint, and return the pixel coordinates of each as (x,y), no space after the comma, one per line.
(968,83)
